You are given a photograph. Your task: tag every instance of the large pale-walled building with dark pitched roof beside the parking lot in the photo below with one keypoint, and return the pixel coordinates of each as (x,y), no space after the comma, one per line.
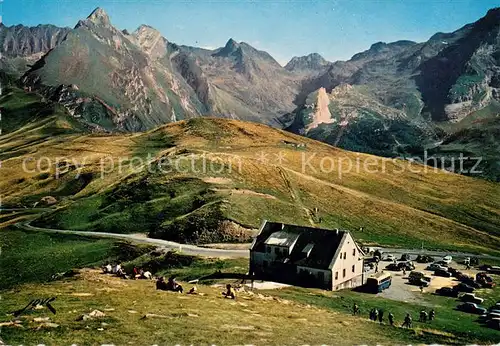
(306,256)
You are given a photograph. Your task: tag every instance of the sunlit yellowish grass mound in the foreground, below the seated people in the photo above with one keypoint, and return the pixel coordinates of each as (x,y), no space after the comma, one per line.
(199,319)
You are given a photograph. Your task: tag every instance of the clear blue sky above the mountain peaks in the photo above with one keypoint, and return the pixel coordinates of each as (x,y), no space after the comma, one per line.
(336,29)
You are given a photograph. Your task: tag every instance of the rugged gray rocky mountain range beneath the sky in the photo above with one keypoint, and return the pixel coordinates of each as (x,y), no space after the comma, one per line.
(440,97)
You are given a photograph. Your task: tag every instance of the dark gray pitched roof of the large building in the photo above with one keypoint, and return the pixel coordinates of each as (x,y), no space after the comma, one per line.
(322,243)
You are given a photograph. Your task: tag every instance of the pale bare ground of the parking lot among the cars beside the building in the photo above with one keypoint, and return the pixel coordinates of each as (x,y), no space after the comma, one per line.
(401,290)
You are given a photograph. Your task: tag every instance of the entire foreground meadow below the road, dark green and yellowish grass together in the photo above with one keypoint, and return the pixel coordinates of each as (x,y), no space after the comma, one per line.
(259,317)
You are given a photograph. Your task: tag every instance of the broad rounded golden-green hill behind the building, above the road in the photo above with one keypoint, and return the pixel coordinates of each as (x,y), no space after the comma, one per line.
(231,171)
